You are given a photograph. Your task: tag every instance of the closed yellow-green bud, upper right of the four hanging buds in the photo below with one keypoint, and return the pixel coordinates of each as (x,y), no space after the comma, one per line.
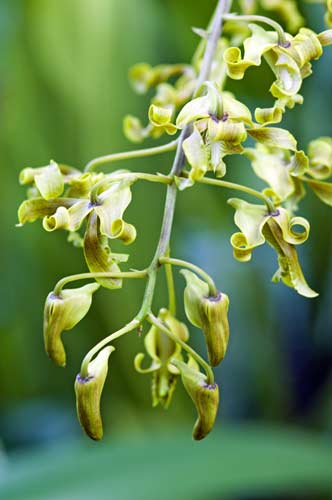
(208,313)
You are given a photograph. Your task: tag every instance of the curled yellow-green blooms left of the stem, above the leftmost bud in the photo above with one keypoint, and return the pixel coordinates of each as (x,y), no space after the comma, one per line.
(89,206)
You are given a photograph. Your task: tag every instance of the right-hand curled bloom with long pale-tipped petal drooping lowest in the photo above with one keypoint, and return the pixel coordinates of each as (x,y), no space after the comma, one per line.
(278,229)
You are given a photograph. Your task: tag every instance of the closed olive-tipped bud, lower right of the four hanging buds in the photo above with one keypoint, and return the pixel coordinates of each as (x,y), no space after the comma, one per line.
(204,396)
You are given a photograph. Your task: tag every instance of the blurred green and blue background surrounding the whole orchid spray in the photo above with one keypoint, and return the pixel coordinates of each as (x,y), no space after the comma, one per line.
(63,94)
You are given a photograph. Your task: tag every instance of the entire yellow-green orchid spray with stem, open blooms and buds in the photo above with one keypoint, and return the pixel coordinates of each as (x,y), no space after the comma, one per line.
(213,123)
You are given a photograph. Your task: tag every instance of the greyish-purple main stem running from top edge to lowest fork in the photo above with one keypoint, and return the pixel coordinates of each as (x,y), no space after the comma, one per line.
(166,229)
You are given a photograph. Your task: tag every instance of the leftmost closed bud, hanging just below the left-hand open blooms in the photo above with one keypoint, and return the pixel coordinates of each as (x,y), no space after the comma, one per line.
(63,312)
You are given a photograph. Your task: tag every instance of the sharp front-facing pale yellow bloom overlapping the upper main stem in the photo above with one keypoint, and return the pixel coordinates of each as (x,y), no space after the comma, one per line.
(220,126)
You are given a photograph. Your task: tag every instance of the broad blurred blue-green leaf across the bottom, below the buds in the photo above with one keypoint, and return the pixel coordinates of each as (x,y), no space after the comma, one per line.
(242,460)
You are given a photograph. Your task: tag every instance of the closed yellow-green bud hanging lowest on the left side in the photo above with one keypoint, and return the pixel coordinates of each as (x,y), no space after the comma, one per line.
(88,394)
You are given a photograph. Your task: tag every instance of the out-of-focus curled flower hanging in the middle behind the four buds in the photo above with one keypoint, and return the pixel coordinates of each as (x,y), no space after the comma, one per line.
(161,350)
